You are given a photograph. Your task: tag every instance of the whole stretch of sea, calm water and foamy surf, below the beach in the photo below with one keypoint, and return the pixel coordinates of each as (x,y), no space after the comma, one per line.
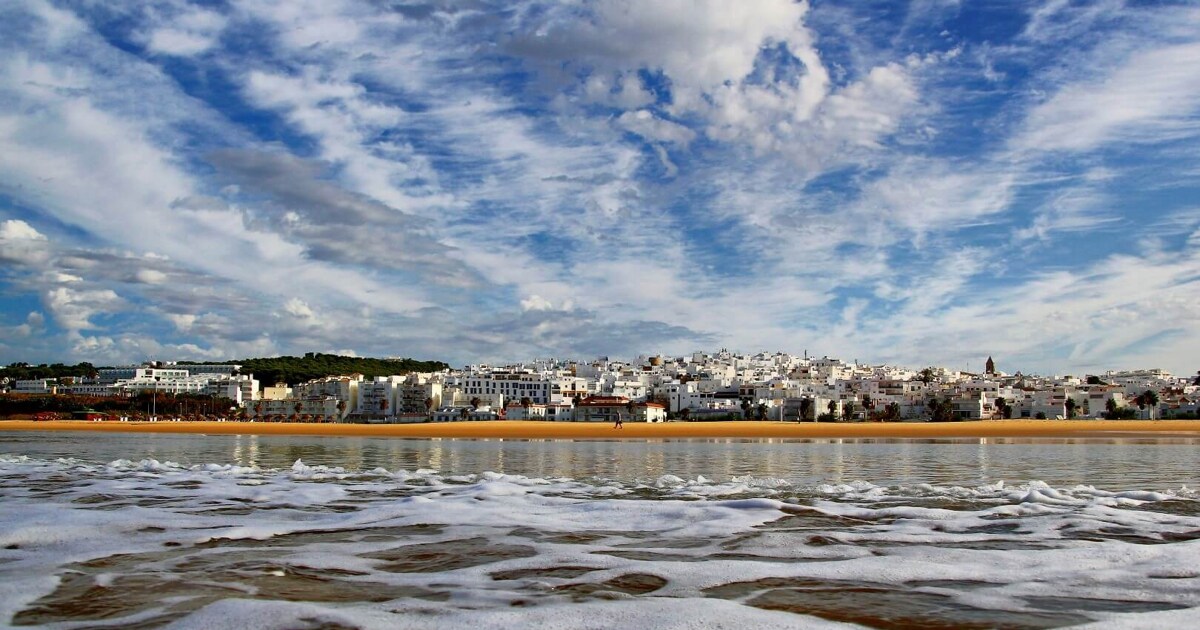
(211,532)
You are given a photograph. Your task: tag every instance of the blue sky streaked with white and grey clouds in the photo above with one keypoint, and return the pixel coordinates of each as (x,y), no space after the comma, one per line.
(925,183)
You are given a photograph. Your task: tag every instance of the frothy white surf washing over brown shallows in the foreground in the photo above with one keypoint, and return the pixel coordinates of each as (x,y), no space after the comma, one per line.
(428,548)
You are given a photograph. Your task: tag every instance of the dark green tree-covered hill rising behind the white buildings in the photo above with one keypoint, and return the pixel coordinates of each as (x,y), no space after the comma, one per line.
(293,370)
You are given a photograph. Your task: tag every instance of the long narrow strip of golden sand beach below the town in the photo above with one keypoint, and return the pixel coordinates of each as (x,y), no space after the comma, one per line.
(533,430)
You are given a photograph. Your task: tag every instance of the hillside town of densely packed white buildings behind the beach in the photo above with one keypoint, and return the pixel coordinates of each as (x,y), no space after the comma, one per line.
(699,387)
